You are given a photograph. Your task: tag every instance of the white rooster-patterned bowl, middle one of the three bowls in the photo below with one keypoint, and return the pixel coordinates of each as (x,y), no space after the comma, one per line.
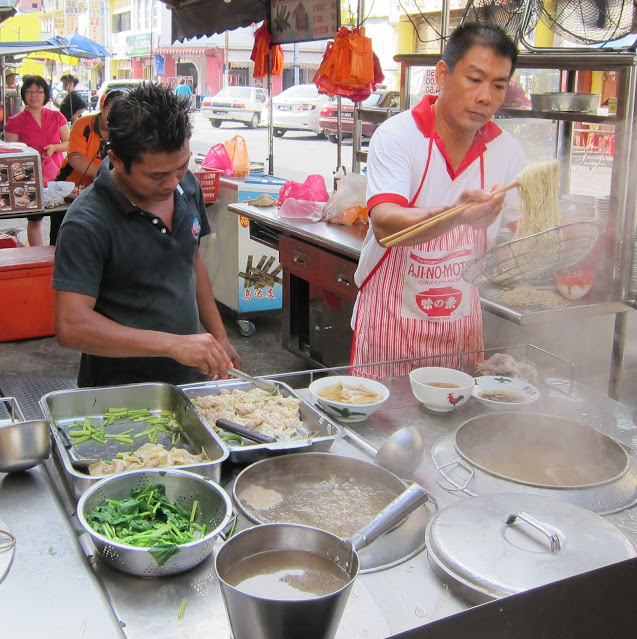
(441,399)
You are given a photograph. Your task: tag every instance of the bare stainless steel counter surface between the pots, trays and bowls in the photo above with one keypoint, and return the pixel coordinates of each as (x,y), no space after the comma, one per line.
(51,567)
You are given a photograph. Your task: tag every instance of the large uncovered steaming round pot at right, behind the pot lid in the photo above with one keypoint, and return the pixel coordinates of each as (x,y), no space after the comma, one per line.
(539,454)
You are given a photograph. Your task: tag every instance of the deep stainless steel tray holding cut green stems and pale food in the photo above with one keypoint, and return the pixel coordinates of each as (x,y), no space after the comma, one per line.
(63,407)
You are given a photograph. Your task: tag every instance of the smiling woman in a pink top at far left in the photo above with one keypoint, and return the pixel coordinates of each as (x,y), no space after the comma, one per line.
(42,129)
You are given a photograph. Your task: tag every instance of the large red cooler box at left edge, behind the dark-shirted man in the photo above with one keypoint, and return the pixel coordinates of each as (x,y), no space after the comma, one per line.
(27,299)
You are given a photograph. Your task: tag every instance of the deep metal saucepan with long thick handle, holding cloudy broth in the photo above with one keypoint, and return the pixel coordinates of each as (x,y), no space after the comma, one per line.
(269,615)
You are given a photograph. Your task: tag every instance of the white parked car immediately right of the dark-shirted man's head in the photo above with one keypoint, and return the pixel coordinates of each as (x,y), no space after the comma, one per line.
(235,104)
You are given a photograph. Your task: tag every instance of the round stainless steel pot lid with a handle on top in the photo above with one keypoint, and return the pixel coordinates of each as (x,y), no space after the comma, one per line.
(498,545)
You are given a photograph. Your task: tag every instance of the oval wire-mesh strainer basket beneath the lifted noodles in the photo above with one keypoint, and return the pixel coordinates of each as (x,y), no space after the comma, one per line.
(533,256)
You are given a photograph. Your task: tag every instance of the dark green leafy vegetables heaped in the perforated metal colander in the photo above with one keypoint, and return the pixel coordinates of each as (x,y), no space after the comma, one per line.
(147,519)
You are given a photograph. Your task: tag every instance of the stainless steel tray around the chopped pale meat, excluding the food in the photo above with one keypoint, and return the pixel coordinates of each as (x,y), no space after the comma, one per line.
(313,422)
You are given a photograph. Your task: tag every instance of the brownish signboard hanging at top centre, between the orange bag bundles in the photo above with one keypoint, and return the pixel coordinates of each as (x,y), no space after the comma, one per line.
(303,20)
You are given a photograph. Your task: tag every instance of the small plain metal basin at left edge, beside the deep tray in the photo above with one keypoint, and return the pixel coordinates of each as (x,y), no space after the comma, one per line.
(24,445)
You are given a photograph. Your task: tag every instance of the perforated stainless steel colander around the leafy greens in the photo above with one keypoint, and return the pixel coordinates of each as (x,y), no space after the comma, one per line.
(182,487)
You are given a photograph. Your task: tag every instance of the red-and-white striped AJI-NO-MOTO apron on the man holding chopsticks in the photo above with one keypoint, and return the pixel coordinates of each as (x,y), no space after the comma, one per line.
(415,304)
